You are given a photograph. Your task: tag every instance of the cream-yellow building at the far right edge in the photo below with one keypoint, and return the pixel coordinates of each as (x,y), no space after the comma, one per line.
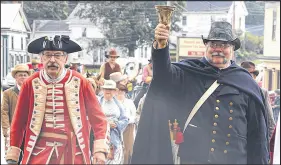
(271,59)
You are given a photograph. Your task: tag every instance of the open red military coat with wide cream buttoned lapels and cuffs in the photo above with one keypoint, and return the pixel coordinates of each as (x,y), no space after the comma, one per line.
(81,103)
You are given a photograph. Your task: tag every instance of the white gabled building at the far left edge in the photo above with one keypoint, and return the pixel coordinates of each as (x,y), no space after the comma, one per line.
(14,37)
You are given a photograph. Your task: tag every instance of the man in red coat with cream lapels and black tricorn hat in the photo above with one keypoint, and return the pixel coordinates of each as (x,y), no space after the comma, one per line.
(56,109)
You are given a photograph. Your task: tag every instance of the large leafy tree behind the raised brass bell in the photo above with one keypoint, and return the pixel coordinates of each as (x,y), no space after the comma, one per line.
(128,24)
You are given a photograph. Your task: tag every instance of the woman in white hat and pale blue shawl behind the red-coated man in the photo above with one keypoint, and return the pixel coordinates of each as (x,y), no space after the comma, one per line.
(117,120)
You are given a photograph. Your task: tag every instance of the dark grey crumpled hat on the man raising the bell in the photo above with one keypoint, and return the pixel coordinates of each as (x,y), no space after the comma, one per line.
(222,31)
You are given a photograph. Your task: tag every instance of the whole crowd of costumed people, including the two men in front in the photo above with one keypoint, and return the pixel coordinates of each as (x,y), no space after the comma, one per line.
(207,110)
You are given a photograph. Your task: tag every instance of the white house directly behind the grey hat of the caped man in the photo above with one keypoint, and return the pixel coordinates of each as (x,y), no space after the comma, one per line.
(196,21)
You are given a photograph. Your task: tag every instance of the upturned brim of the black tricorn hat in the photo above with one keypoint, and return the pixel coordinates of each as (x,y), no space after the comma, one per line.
(36,46)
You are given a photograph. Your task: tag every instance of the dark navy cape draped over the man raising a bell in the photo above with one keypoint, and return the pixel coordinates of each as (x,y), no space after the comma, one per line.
(152,144)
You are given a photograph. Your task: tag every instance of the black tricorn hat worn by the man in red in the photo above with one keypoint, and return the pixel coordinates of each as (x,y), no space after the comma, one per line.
(57,43)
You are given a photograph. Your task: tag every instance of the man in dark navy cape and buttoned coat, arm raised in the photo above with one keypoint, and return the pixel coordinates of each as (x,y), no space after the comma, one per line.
(230,126)
